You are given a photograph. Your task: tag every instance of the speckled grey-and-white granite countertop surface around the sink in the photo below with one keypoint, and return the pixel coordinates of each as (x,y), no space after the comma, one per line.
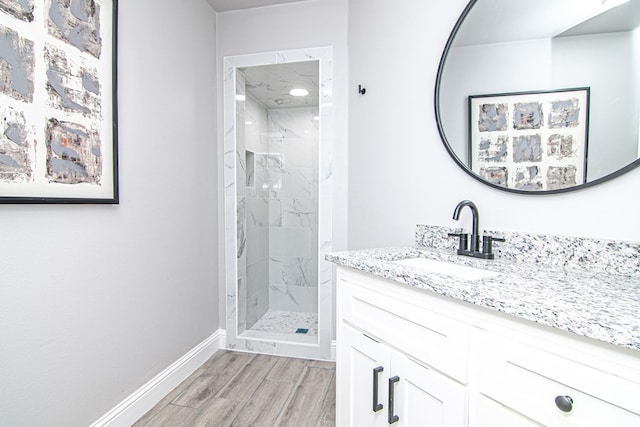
(597,305)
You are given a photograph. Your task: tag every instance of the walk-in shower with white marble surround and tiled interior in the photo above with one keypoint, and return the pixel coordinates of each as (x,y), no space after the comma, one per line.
(278,202)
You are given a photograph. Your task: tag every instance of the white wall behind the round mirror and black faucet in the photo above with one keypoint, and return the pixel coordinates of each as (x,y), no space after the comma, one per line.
(401,175)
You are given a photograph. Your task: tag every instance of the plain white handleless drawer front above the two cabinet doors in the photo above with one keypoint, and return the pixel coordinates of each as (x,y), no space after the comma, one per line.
(395,318)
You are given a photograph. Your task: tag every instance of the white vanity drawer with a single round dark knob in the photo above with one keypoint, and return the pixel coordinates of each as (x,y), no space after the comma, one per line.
(527,380)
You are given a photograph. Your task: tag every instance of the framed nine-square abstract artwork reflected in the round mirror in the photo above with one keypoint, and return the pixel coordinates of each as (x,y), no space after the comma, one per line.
(530,140)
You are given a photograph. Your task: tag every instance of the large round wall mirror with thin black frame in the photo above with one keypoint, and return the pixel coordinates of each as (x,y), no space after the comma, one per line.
(542,97)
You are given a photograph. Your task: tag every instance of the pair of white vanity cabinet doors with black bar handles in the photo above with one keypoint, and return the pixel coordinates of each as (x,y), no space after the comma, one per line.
(370,371)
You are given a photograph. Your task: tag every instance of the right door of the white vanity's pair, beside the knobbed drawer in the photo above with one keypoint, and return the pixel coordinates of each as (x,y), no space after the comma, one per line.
(424,397)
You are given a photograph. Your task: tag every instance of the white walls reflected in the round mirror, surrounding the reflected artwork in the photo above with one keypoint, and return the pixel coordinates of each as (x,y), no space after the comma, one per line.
(564,62)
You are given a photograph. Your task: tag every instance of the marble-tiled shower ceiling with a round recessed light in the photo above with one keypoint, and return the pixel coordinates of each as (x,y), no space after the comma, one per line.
(270,84)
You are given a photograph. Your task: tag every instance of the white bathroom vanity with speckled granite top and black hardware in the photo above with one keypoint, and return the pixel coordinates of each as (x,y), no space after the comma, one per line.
(534,344)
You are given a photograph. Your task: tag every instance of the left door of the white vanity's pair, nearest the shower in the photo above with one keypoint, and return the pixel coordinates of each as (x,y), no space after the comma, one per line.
(361,362)
